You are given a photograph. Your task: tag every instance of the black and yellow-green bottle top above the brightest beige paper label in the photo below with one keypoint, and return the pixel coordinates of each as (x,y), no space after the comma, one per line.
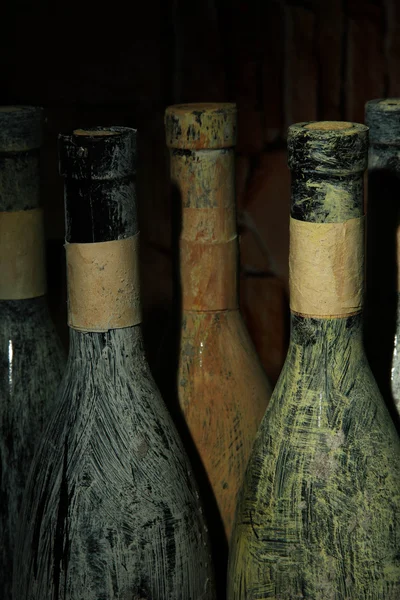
(327,161)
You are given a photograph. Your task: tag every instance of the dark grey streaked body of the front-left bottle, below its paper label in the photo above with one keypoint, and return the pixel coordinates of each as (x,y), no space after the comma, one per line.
(112,468)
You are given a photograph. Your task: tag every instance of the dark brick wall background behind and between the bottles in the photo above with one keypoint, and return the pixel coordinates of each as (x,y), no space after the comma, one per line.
(123,63)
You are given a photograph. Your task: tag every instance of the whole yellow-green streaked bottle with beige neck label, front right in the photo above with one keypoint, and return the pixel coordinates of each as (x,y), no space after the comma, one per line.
(319,512)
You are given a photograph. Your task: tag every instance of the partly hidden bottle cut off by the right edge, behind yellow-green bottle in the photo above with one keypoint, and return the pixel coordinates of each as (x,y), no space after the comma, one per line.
(382,336)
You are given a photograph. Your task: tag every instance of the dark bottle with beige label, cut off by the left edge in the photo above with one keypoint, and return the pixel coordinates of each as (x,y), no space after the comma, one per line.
(31,357)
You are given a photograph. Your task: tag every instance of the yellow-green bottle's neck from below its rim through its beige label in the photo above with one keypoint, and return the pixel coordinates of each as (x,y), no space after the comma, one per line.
(326,260)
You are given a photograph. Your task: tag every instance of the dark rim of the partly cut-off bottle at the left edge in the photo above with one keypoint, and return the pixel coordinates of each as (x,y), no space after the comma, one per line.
(20,128)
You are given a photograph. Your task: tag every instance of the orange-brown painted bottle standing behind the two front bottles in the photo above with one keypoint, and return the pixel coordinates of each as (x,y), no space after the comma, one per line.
(222,388)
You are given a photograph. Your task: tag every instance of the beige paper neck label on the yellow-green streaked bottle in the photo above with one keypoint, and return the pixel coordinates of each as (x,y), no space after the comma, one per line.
(326,268)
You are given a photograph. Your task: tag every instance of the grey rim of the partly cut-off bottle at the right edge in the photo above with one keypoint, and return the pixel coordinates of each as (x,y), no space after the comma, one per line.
(383,118)
